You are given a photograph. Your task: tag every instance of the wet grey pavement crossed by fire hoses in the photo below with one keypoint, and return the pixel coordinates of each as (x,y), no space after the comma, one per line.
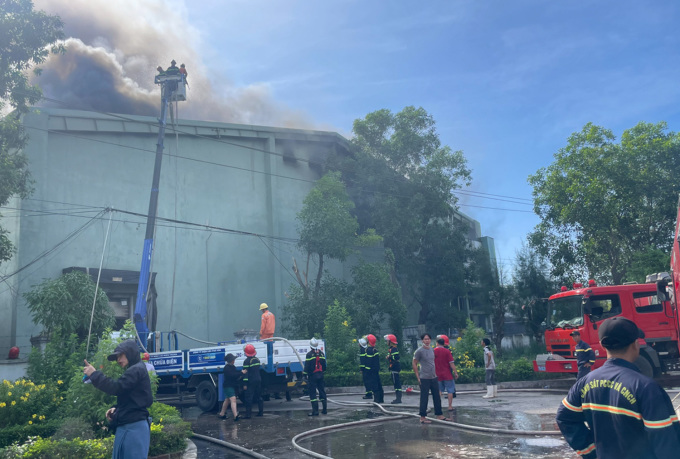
(271,434)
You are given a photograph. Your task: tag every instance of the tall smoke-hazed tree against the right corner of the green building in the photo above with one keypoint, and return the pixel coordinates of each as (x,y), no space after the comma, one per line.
(401,178)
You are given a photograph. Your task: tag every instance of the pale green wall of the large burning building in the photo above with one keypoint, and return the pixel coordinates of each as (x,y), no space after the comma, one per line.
(210,282)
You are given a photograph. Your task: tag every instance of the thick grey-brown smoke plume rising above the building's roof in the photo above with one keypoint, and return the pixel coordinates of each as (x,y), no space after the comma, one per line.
(112,55)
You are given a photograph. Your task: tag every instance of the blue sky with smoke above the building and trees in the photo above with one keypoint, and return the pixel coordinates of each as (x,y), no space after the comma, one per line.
(506,81)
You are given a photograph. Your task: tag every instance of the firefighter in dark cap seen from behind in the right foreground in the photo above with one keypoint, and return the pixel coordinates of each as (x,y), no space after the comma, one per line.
(615,411)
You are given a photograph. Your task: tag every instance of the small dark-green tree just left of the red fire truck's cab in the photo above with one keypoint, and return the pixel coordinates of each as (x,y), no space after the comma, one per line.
(533,285)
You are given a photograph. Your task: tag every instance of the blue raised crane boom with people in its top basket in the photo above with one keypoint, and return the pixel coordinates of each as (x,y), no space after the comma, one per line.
(173,88)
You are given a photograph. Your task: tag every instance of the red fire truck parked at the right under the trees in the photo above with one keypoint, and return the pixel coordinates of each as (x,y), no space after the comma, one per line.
(653,306)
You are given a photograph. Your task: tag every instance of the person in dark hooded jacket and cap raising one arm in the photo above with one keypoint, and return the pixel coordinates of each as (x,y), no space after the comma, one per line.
(130,417)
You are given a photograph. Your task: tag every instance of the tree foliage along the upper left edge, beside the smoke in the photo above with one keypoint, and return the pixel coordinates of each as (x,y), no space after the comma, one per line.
(26,39)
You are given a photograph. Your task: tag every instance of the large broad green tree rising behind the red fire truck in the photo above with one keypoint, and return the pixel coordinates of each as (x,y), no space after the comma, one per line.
(600,202)
